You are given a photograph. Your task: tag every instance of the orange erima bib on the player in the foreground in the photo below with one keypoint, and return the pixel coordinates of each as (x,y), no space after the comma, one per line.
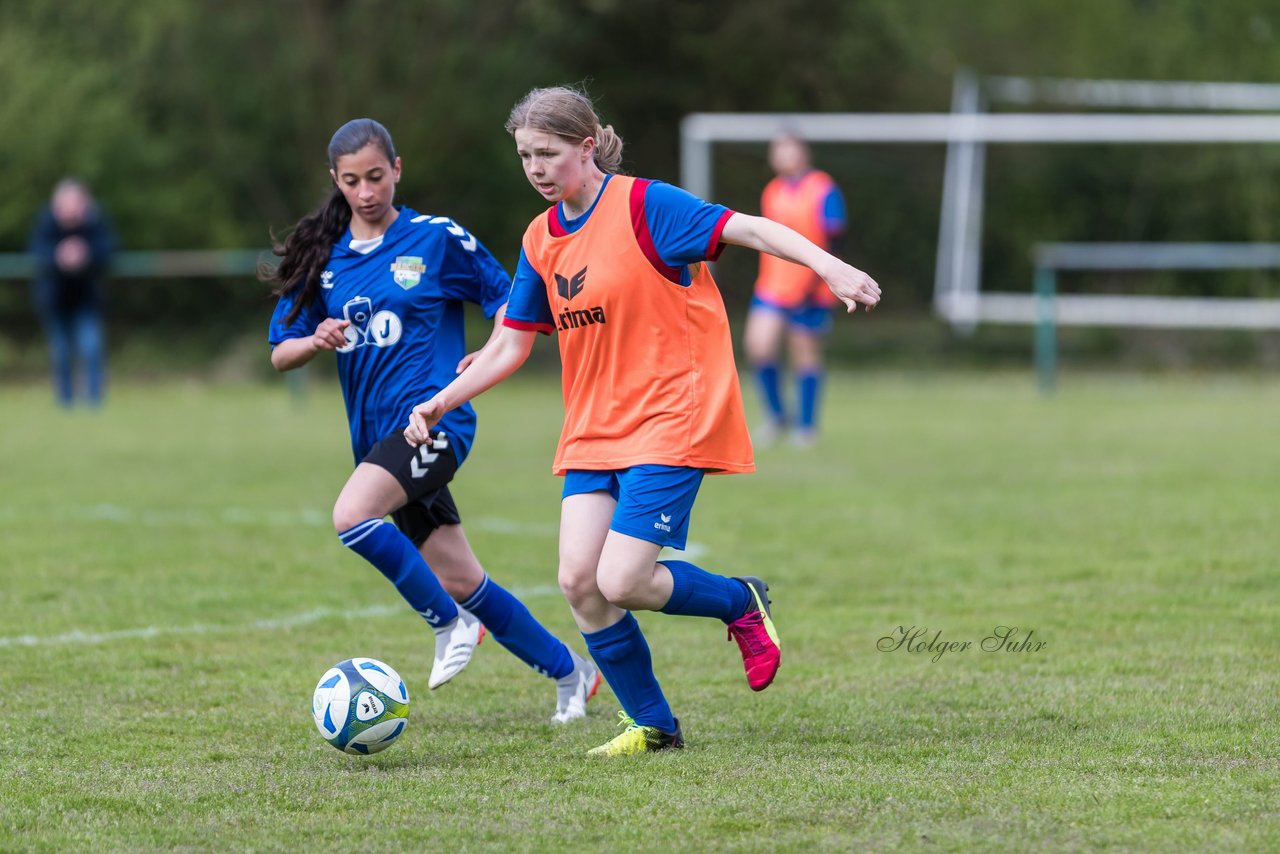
(648,364)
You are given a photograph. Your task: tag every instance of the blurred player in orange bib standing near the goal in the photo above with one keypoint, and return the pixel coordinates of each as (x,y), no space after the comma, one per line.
(792,302)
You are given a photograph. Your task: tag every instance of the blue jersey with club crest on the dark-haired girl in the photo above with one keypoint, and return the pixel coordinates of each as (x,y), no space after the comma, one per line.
(404,296)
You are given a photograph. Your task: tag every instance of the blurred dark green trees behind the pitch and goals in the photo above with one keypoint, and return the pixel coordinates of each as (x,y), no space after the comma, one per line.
(204,125)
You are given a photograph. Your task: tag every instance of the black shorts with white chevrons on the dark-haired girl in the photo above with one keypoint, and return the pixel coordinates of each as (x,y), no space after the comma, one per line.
(426,474)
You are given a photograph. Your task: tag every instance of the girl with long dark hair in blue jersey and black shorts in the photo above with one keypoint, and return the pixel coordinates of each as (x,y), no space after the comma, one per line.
(383,287)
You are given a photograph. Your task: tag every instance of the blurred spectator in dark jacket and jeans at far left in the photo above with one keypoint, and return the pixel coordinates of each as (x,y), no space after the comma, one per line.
(72,245)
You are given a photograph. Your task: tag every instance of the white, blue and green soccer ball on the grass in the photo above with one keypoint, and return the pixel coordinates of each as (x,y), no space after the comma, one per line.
(360,706)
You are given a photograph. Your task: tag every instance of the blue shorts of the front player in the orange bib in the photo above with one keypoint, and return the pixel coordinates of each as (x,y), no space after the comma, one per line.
(655,503)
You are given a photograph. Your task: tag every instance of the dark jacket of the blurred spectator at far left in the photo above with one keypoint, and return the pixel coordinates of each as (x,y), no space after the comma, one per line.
(61,293)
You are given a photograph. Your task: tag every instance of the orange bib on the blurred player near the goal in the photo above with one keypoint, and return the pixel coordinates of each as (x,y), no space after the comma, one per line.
(798,205)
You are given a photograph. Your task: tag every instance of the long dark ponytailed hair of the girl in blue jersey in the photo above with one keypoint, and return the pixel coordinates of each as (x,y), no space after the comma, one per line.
(307,250)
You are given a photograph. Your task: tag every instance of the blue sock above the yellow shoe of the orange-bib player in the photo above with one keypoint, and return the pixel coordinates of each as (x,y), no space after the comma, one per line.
(623,655)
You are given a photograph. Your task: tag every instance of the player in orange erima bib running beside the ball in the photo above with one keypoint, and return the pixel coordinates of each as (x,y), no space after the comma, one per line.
(651,392)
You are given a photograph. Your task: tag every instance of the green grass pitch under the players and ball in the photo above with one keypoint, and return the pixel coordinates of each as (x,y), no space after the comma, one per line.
(172,591)
